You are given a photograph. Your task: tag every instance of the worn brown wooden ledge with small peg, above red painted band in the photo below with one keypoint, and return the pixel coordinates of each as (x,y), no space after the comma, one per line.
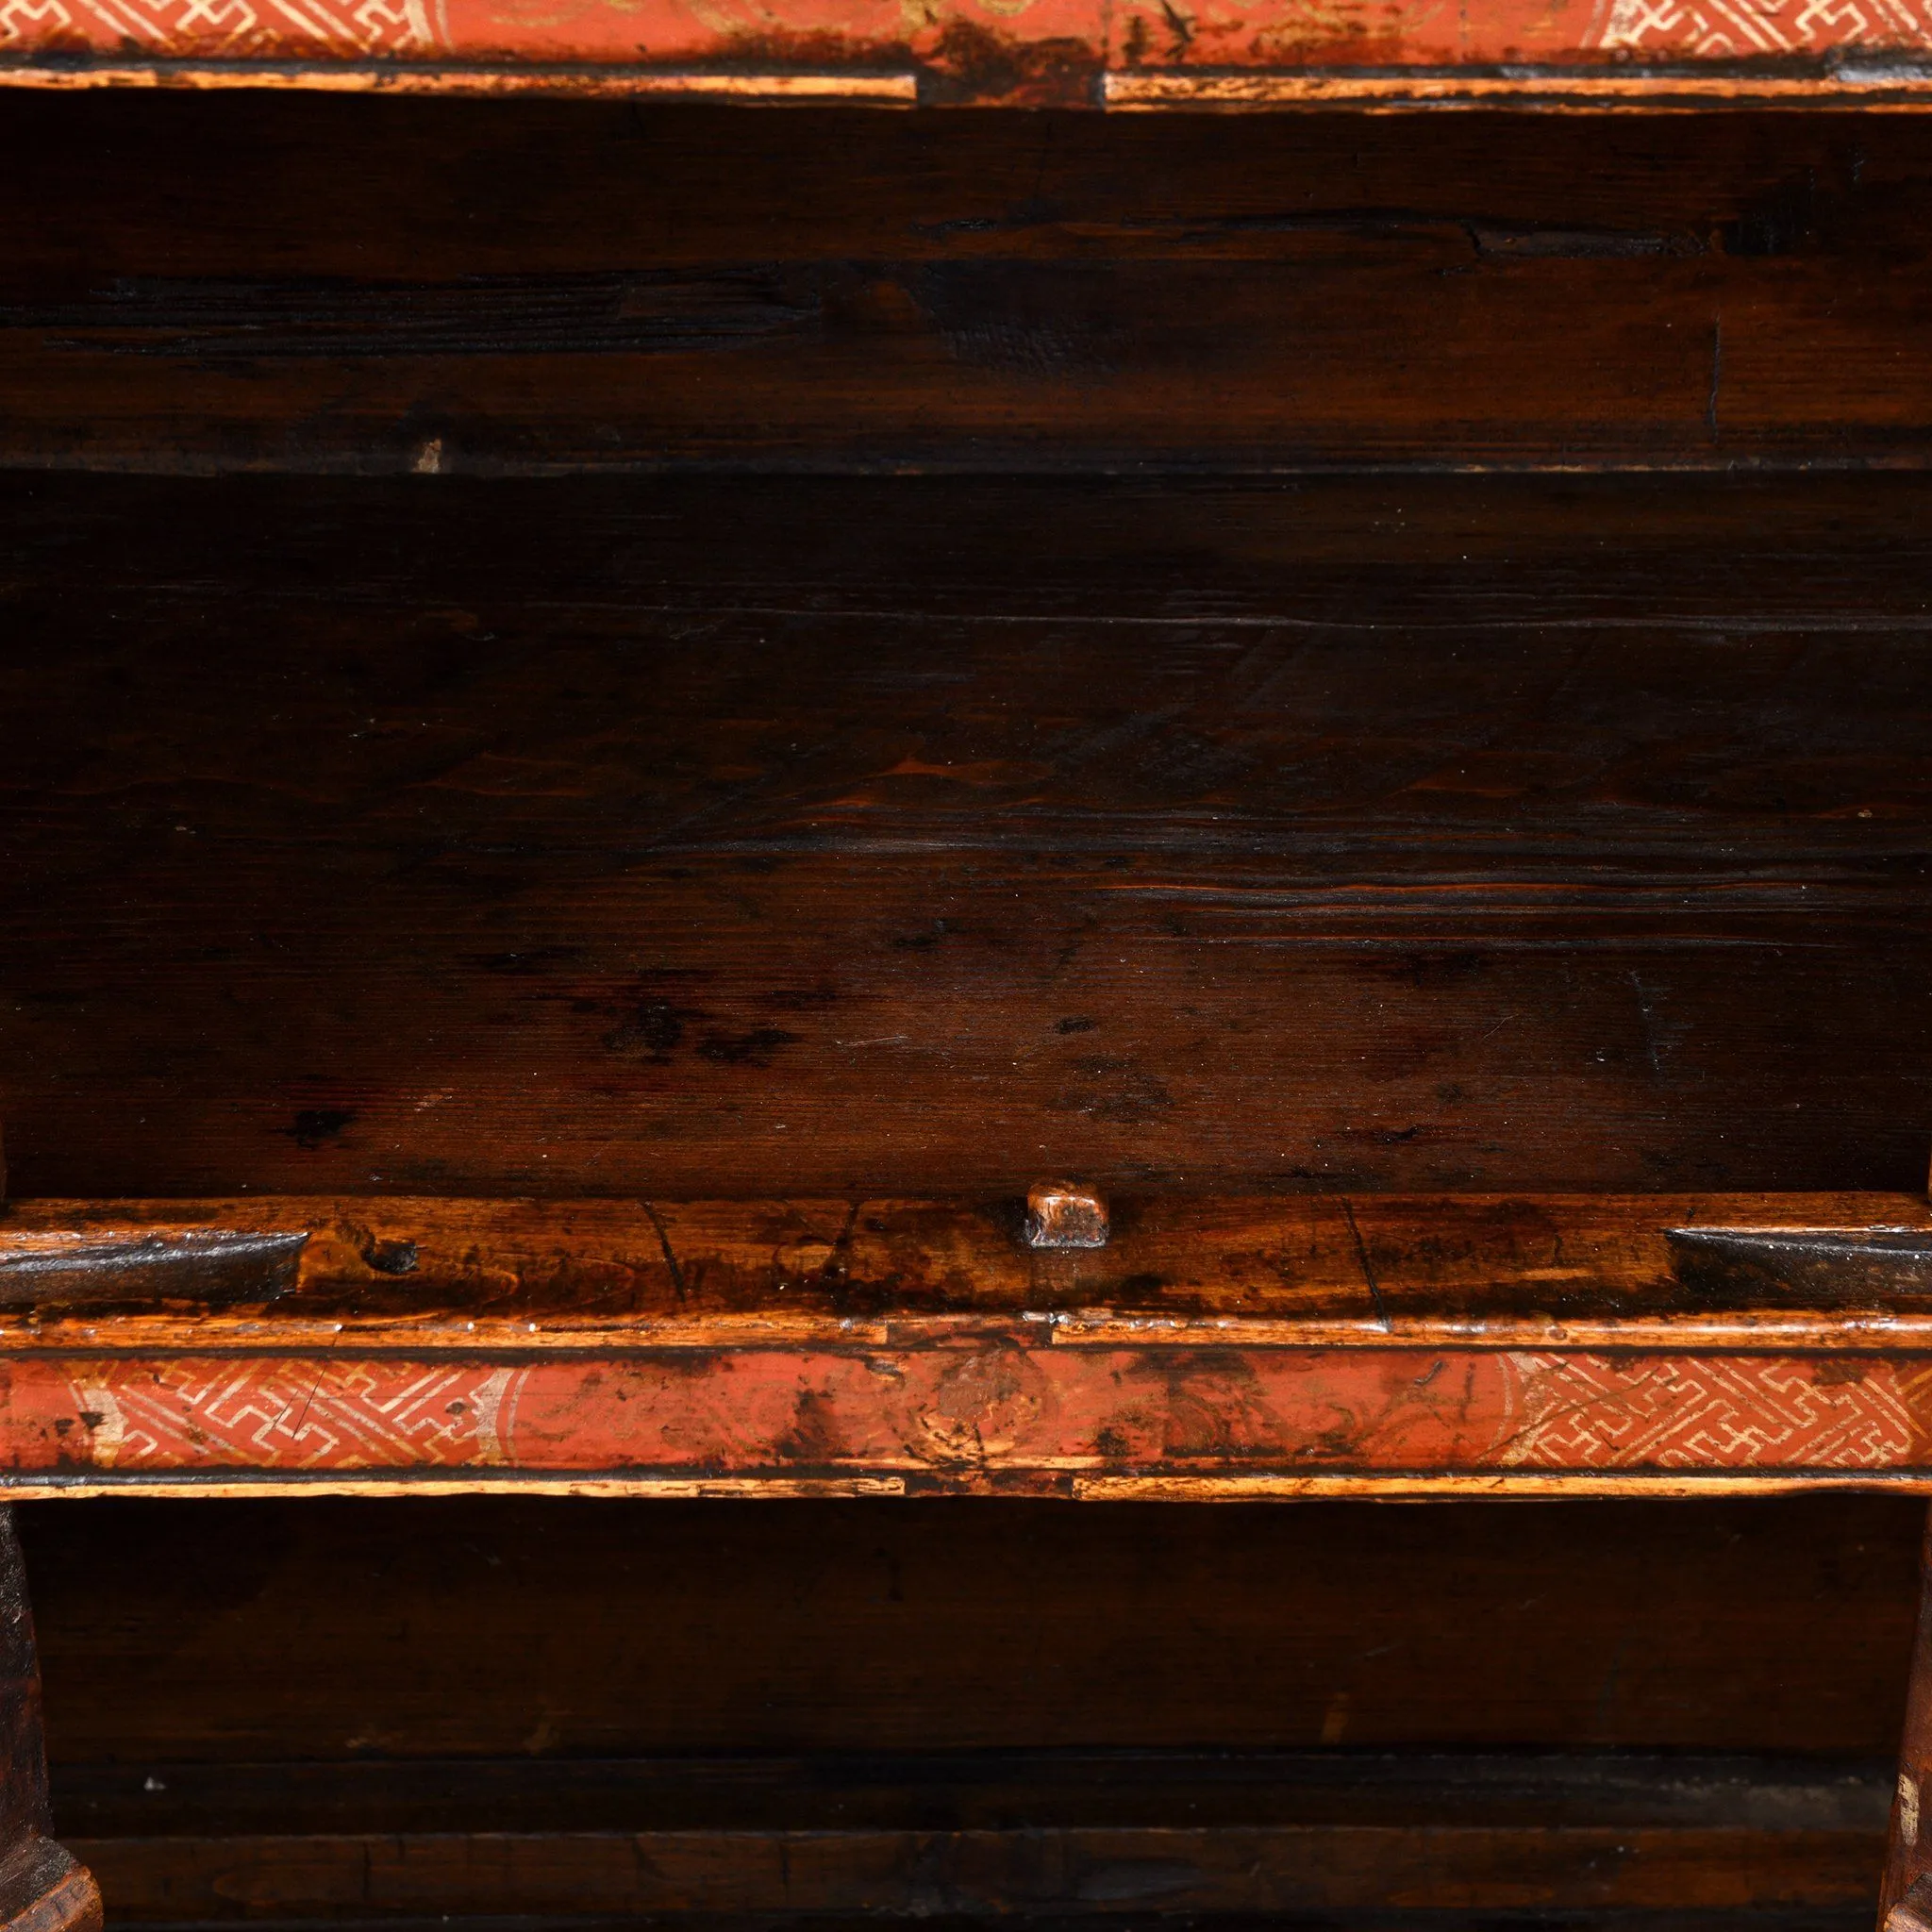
(611,1276)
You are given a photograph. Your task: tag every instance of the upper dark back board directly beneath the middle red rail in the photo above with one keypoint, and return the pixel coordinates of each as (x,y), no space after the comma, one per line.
(563,1630)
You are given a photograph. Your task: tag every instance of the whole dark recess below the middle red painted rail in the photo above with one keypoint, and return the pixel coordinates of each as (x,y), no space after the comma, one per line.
(598,1711)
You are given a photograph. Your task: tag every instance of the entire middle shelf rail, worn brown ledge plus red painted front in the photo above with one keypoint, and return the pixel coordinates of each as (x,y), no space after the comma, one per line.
(1210,1350)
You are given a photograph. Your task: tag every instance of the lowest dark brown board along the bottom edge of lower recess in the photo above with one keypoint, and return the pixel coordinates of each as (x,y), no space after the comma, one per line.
(1102,1871)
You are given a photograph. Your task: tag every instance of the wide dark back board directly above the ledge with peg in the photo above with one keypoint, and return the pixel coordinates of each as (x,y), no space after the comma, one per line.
(932,838)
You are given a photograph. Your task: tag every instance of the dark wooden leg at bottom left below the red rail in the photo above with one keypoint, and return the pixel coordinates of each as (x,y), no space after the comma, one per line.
(42,1887)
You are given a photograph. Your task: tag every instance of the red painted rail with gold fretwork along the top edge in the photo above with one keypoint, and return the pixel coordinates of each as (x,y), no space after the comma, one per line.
(1033,53)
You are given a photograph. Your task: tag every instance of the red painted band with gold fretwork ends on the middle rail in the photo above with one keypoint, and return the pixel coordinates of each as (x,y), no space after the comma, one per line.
(969,1413)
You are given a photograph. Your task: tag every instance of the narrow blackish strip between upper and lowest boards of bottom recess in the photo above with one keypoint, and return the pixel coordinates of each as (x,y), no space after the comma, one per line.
(982,1792)
